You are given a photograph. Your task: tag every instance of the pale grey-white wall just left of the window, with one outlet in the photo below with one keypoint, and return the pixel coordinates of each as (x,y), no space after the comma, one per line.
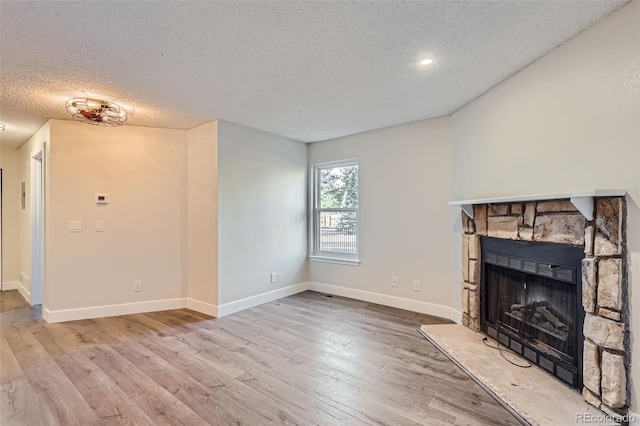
(262,183)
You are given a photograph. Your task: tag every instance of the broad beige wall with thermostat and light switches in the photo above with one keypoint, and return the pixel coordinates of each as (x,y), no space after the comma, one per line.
(144,170)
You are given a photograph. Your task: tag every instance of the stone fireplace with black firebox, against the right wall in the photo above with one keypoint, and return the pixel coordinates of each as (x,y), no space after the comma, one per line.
(598,280)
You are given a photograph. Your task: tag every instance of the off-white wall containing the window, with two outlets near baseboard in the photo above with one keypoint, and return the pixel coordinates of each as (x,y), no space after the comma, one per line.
(404,174)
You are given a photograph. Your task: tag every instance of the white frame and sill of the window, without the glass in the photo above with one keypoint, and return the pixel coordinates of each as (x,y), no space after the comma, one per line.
(318,255)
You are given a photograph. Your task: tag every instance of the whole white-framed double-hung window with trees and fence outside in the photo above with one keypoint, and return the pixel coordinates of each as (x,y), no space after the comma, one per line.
(335,212)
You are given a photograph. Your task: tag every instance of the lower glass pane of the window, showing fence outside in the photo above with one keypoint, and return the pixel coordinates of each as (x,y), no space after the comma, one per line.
(338,232)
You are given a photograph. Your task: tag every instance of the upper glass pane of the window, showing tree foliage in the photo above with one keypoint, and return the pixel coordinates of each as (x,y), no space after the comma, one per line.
(339,187)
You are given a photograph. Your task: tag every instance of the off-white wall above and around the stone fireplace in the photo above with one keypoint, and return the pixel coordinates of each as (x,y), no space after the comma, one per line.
(570,121)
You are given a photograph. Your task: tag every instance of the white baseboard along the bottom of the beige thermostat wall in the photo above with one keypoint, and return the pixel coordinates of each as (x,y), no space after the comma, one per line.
(112,310)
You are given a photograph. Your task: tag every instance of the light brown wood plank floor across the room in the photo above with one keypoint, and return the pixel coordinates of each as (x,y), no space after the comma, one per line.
(306,359)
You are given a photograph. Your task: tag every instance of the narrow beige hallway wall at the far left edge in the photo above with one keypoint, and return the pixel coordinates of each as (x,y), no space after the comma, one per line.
(10,212)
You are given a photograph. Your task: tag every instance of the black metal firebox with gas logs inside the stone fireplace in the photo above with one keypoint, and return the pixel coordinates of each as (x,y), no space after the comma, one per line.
(531,302)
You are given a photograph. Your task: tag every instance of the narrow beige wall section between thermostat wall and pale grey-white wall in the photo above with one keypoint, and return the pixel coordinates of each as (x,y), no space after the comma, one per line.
(202,252)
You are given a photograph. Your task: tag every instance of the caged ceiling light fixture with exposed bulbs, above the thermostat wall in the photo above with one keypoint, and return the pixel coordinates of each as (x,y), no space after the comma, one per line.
(96,112)
